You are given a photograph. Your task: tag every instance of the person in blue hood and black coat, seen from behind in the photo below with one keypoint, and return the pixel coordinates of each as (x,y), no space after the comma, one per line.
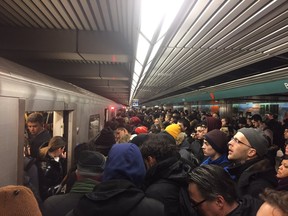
(119,193)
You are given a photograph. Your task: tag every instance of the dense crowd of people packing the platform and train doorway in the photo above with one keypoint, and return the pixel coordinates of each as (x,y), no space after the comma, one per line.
(156,162)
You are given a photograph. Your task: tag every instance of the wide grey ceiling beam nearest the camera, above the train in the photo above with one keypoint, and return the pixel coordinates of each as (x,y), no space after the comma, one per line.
(64,44)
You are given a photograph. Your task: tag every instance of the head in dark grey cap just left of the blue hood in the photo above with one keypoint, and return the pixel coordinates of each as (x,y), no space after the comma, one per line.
(90,165)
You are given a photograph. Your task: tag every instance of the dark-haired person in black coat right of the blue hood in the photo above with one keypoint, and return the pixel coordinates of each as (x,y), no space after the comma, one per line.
(166,171)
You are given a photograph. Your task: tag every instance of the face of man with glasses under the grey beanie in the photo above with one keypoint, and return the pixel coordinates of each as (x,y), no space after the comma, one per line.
(238,151)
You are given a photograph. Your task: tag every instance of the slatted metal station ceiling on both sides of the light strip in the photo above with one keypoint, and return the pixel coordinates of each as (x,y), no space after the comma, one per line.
(92,44)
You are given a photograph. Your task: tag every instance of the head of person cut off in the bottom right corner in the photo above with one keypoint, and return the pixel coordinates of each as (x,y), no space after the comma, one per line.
(275,203)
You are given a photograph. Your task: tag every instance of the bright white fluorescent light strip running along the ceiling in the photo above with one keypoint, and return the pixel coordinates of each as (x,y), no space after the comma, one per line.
(156,19)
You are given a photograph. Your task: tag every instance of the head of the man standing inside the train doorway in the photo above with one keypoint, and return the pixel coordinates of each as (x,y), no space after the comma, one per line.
(35,123)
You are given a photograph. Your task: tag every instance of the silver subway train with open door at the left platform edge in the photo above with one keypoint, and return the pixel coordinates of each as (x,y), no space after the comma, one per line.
(72,112)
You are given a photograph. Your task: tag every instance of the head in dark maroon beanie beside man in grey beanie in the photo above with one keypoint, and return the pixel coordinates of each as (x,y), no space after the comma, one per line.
(215,144)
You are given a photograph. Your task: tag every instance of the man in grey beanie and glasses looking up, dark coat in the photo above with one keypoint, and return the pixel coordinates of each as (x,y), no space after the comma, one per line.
(252,169)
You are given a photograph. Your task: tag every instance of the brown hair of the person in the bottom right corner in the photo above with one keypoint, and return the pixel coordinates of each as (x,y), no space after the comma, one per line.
(277,199)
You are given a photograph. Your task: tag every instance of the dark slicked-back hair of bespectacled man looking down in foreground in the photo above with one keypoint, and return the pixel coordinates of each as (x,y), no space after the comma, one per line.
(213,180)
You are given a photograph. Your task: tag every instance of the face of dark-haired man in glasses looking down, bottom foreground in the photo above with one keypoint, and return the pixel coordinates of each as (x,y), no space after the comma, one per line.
(202,206)
